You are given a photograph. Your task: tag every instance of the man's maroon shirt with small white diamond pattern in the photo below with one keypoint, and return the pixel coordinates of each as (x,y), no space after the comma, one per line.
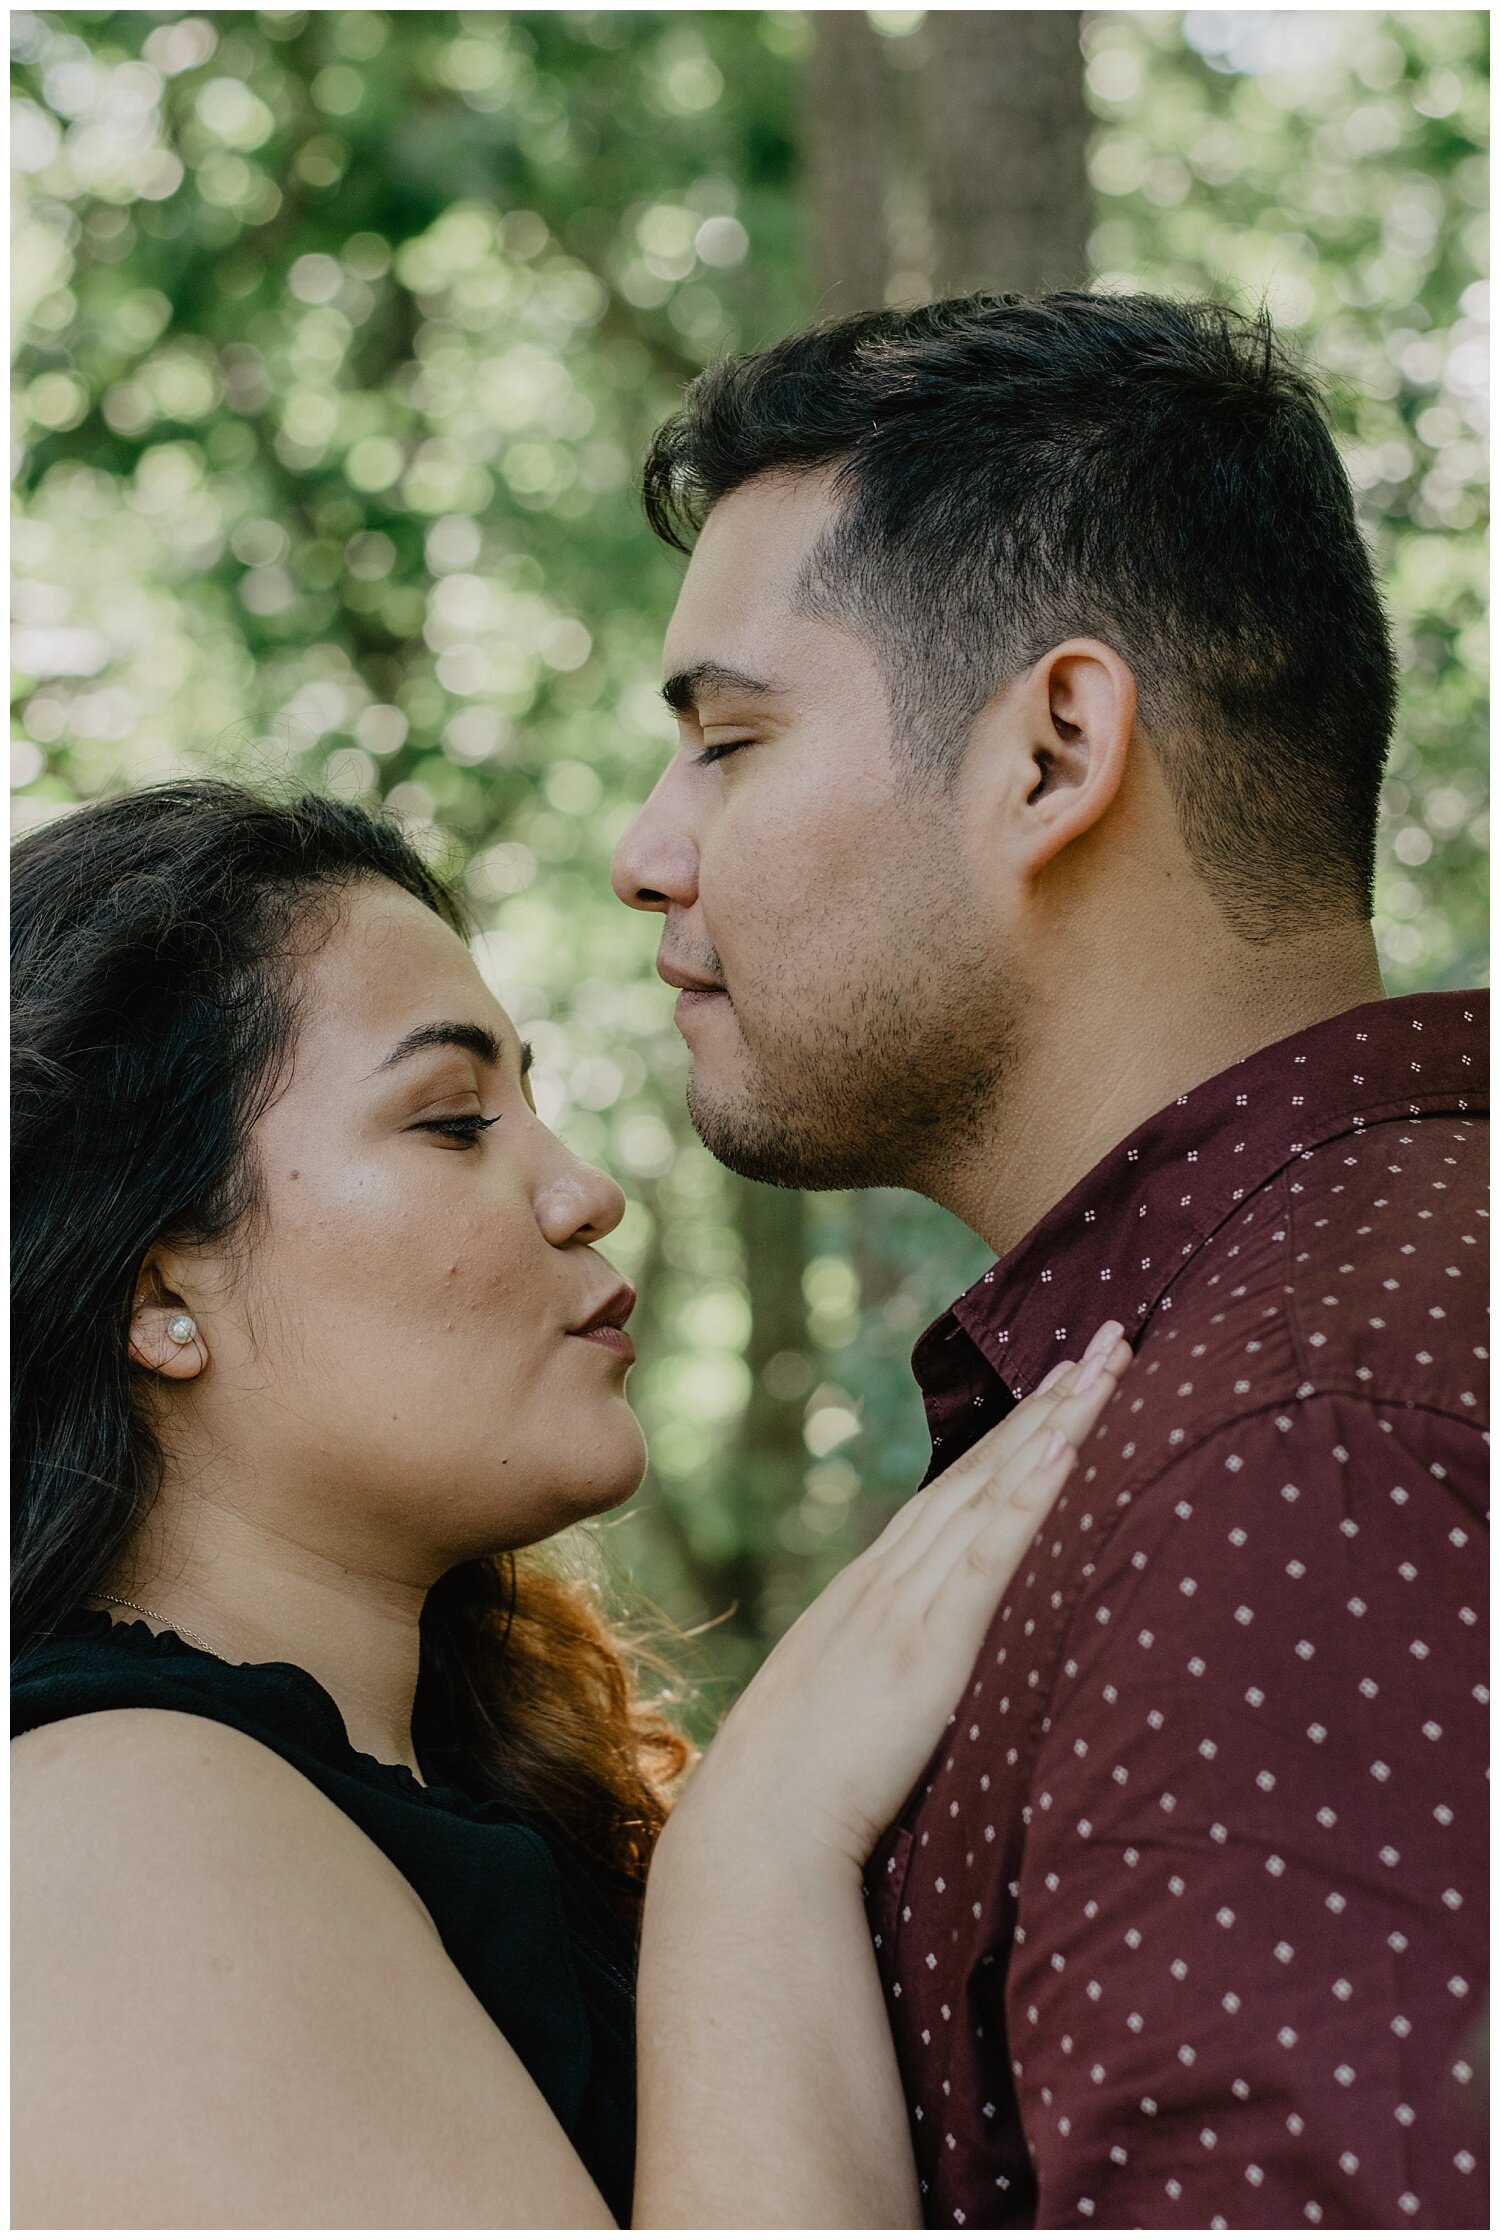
(1185,1925)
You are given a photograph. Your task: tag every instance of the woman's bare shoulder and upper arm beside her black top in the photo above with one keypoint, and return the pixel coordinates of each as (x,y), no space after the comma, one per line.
(232,2010)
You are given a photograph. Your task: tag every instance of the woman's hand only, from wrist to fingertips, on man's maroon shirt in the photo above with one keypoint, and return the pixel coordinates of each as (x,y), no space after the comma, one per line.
(834,1733)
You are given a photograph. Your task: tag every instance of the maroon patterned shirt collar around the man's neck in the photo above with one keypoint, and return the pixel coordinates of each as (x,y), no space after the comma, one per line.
(1109,1251)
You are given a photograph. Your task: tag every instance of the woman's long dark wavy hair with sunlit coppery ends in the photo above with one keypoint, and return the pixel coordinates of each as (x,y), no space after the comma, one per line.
(153,955)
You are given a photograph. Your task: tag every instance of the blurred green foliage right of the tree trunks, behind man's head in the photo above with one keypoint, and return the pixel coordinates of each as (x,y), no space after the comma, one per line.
(1335,167)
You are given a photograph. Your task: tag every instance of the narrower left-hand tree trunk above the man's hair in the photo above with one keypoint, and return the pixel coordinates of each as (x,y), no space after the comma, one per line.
(843,149)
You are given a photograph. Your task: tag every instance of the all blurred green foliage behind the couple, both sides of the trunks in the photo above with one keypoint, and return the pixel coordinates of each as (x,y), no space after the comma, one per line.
(339,344)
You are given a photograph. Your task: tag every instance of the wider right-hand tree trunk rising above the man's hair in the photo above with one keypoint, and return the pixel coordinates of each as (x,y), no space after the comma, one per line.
(1004,149)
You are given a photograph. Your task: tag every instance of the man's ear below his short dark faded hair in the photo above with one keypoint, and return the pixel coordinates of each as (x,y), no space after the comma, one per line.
(1069,725)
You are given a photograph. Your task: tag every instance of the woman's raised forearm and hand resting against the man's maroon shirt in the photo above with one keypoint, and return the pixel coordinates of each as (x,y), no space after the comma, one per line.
(769,2084)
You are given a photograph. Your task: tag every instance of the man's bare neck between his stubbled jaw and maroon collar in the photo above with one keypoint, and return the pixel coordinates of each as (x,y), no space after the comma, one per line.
(1103,1061)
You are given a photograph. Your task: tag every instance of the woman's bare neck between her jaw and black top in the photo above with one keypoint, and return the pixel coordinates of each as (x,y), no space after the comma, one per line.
(261,1598)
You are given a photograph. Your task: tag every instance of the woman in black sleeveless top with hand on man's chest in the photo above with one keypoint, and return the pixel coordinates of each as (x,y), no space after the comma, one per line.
(330,1813)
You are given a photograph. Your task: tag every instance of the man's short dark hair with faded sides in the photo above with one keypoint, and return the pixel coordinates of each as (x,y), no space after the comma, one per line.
(1152,474)
